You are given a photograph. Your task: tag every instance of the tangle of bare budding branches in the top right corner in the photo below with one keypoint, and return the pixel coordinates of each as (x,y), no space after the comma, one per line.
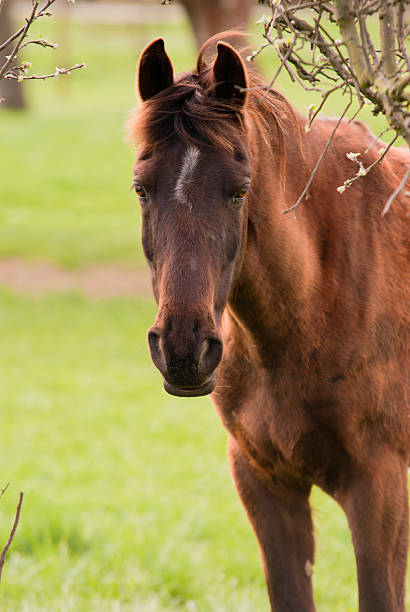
(319,61)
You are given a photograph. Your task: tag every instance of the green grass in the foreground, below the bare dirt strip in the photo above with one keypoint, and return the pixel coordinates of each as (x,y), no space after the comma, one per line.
(128,499)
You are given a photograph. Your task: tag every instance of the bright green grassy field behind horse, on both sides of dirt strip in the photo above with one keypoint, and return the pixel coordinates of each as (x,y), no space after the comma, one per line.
(128,500)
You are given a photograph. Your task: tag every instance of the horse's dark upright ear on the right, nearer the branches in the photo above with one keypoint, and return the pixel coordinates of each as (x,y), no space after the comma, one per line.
(229,75)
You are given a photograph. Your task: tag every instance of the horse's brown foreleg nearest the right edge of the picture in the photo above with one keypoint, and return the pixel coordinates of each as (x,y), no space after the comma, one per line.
(376,505)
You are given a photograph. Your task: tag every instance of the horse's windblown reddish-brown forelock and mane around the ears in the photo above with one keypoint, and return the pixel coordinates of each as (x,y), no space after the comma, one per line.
(188,110)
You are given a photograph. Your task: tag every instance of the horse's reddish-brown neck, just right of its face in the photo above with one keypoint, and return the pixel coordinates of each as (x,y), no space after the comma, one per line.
(278,267)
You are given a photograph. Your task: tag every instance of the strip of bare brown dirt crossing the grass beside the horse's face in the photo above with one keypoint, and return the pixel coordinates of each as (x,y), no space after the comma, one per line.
(100,281)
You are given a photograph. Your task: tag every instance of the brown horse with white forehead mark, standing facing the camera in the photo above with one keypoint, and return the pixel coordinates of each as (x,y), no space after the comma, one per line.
(298,327)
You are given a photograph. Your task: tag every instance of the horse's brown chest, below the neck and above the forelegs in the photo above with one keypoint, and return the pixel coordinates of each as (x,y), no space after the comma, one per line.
(281,440)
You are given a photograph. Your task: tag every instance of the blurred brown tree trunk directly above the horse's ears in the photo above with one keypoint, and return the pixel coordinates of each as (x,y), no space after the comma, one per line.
(213,16)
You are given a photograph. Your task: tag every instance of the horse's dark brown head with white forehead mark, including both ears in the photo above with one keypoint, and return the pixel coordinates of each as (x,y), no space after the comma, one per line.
(192,175)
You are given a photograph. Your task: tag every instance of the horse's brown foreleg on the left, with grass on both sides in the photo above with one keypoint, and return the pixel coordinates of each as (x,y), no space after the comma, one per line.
(280,516)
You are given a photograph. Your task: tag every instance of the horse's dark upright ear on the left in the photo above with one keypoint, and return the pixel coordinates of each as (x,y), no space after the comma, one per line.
(155,71)
